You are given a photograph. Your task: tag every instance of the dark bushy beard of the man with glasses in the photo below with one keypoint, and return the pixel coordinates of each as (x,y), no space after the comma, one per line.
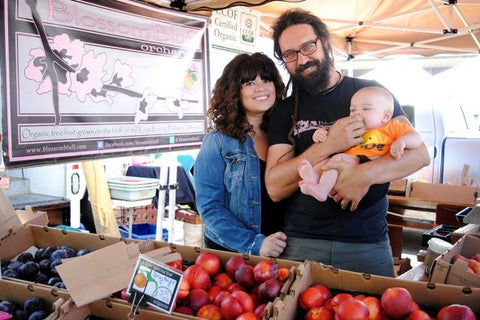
(317,80)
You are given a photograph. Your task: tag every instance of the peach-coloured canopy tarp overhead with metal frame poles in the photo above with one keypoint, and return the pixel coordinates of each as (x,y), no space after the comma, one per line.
(374,27)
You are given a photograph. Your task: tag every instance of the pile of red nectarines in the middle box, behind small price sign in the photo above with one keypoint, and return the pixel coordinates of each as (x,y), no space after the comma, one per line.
(234,291)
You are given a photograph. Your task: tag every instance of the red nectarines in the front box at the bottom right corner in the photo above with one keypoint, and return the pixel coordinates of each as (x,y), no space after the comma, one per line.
(395,303)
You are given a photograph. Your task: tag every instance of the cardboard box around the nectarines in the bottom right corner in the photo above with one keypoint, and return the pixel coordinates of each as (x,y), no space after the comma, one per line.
(427,295)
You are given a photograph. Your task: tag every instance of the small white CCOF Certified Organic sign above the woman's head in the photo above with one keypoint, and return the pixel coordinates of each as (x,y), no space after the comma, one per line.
(235,29)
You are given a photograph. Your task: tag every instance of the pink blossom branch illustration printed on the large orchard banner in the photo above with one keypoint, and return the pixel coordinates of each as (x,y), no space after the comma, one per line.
(65,67)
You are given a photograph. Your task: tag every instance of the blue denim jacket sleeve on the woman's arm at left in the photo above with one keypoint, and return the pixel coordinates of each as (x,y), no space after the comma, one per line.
(211,201)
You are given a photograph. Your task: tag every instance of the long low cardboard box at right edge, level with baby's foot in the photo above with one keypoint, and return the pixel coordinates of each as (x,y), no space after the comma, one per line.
(463,195)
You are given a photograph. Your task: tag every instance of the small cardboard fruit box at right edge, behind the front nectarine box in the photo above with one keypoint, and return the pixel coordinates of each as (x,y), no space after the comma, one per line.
(445,272)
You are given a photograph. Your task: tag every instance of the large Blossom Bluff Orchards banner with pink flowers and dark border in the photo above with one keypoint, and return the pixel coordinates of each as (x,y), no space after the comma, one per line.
(96,79)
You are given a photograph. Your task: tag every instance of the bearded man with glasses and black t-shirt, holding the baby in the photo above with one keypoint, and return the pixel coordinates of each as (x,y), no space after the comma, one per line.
(349,230)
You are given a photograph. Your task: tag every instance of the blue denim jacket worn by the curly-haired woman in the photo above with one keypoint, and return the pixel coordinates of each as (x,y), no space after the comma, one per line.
(228,193)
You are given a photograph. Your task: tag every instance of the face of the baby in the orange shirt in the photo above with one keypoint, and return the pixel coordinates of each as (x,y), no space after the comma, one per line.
(370,108)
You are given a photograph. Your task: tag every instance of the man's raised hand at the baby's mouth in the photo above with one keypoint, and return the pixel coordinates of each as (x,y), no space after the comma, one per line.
(345,133)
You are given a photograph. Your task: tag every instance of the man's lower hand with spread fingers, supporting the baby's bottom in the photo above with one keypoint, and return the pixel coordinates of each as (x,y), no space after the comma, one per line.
(351,185)
